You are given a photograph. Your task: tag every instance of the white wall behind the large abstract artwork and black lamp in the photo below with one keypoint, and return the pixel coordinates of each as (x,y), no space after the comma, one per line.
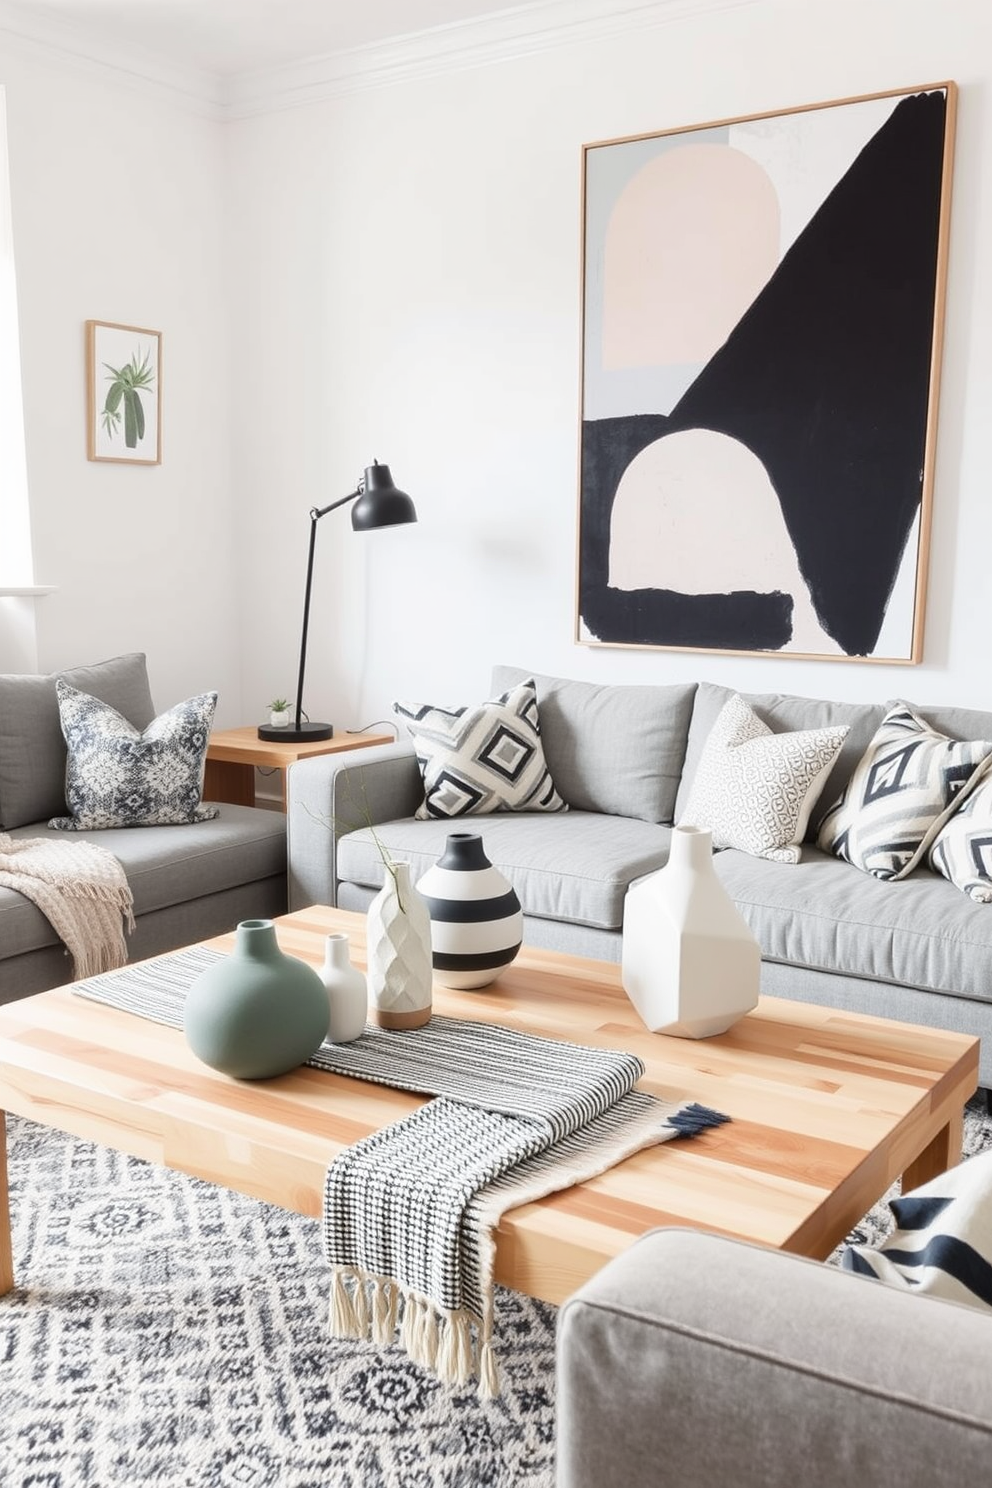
(407,270)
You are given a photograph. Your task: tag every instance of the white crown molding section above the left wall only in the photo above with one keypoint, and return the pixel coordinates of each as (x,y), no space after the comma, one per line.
(62,44)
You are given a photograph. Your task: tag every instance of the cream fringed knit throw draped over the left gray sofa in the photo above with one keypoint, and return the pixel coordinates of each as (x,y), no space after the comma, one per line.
(81,889)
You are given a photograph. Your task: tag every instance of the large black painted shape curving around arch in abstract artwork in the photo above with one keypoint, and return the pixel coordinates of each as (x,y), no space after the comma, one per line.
(826,379)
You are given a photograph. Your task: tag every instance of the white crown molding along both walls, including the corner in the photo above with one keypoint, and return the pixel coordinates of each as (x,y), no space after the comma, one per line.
(502,36)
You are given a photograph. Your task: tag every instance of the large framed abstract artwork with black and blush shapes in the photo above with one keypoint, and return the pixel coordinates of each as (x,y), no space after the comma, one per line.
(762,312)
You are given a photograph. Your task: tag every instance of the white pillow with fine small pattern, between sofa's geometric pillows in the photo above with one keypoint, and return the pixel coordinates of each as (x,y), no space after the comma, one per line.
(756,789)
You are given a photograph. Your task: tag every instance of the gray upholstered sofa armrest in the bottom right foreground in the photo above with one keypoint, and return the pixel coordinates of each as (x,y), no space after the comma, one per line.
(694,1361)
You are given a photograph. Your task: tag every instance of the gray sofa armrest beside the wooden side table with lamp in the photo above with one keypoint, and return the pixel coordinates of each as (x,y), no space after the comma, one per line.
(329,795)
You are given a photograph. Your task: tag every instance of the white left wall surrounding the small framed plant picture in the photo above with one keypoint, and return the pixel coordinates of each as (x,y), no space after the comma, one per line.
(118,215)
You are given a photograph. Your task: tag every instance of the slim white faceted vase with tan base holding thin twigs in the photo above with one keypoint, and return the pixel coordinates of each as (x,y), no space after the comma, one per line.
(399,955)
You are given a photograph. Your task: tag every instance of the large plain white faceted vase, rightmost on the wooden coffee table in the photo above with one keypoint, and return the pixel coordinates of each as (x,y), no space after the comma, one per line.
(689,965)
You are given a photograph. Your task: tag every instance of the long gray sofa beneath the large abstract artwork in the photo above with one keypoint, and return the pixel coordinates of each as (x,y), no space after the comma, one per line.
(624,758)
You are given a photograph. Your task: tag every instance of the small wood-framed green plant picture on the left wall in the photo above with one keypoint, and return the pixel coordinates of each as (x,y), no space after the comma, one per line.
(124,394)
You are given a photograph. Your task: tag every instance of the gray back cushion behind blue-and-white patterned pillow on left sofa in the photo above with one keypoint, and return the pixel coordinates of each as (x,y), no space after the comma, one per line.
(32,745)
